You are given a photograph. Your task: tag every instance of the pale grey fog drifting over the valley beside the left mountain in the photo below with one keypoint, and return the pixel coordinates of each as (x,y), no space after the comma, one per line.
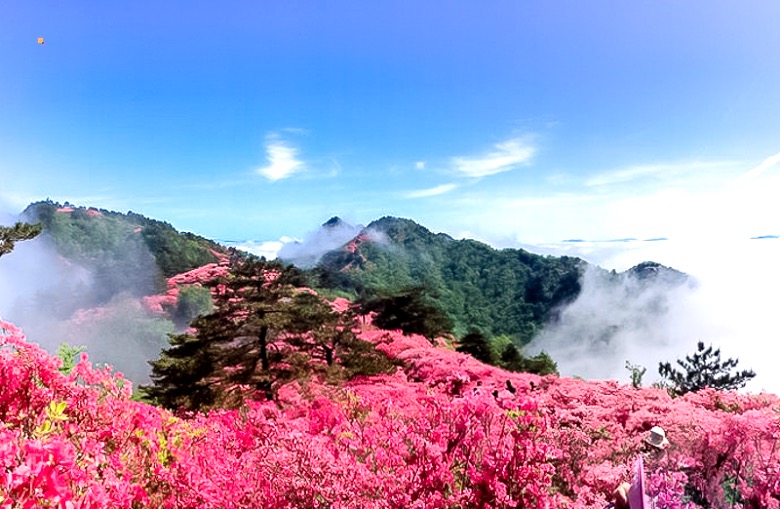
(57,301)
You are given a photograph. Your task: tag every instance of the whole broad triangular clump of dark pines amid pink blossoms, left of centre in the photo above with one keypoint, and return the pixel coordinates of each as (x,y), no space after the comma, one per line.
(265,330)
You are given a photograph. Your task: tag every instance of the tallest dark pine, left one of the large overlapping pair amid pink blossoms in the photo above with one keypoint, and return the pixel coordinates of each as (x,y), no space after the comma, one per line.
(239,345)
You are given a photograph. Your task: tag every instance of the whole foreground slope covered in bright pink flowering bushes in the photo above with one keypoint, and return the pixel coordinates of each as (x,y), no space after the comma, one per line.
(443,431)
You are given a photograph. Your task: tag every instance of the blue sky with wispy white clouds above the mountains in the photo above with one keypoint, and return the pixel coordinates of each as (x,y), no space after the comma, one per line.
(509,121)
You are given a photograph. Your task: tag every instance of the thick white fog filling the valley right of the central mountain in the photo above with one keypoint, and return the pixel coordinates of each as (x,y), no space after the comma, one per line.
(733,306)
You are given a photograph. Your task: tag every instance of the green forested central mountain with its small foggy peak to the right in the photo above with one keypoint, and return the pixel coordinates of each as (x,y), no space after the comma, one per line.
(508,292)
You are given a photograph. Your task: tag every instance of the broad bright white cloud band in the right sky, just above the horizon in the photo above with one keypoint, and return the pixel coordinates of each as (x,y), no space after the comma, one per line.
(676,200)
